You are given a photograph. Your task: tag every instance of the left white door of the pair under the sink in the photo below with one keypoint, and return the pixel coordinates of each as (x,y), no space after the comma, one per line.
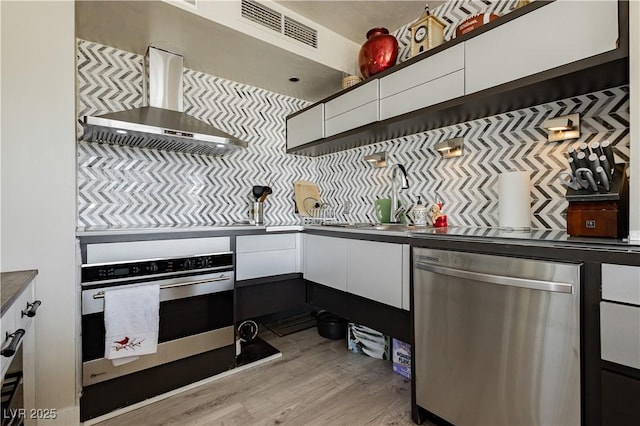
(325,261)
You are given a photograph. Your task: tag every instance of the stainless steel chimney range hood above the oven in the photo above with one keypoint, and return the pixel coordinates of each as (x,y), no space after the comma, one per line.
(162,124)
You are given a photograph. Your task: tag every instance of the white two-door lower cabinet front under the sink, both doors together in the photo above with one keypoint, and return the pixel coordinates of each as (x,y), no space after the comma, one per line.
(374,270)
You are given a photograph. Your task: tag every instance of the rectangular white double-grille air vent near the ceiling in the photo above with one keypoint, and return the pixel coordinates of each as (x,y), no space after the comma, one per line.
(276,21)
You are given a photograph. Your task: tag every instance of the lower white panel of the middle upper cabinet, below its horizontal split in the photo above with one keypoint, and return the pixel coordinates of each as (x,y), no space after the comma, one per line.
(439,90)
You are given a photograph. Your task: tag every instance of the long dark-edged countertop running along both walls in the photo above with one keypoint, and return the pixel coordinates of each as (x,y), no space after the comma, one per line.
(454,237)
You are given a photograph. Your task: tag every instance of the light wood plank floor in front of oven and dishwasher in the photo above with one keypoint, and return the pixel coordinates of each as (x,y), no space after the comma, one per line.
(316,382)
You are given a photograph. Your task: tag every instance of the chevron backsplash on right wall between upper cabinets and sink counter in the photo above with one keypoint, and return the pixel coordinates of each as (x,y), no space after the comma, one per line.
(469,184)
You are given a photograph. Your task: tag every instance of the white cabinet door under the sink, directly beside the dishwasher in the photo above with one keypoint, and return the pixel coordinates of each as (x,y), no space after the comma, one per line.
(374,271)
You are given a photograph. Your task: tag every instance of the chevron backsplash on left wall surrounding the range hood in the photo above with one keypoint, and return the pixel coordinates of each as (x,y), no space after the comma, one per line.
(120,185)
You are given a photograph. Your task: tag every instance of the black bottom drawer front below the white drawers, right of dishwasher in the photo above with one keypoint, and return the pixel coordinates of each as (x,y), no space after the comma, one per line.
(620,399)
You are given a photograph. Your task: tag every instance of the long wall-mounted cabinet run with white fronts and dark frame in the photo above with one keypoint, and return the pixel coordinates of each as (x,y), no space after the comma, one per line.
(542,52)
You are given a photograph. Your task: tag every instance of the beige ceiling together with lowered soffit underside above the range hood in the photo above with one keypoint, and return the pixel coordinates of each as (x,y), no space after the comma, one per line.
(134,25)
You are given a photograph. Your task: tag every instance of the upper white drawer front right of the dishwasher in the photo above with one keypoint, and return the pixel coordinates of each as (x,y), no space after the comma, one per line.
(621,283)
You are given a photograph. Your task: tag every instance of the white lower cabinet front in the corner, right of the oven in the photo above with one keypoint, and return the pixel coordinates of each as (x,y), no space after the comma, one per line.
(267,255)
